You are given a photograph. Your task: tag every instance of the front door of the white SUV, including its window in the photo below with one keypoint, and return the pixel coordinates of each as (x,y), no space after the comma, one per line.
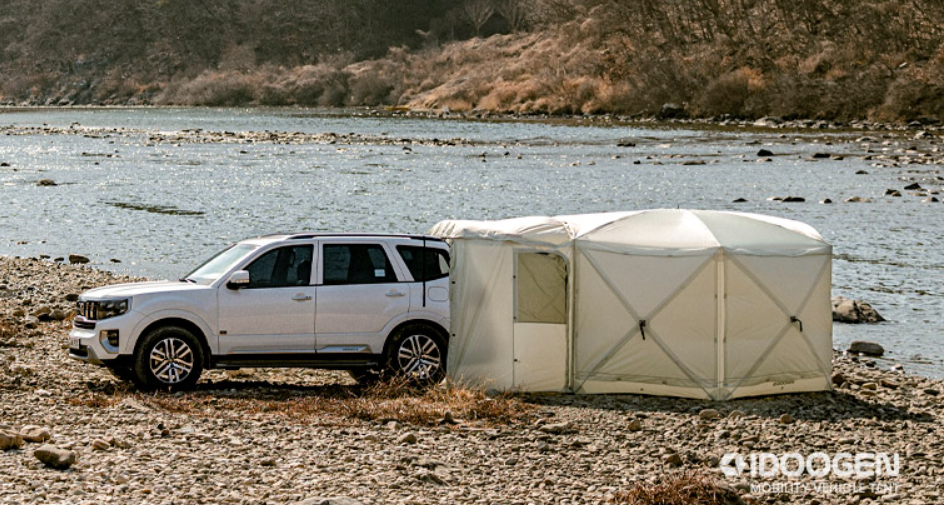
(276,312)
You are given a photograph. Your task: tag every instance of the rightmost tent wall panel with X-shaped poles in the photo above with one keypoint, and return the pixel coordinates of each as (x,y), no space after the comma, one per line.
(778,325)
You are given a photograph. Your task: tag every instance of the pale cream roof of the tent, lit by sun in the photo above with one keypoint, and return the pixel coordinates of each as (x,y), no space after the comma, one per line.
(650,231)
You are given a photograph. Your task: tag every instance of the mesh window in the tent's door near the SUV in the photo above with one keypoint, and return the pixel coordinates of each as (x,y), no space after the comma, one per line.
(541,288)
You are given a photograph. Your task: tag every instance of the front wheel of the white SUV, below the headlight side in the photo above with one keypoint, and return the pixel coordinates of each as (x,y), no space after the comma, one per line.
(154,371)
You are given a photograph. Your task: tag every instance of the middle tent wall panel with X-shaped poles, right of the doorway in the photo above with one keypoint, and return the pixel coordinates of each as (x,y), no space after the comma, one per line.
(646,323)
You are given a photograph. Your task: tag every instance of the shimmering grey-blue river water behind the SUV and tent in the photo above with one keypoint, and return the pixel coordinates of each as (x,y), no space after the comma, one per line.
(160,208)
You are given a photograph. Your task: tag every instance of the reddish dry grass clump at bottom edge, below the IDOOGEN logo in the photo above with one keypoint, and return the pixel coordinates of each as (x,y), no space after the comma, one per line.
(686,488)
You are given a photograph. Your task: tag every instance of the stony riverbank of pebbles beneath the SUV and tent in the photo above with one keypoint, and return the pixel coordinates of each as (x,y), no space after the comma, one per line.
(269,437)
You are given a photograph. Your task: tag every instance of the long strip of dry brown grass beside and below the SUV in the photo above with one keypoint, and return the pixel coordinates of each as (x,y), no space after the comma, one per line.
(393,400)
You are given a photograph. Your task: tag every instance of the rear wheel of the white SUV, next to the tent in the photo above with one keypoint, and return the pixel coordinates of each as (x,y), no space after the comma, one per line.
(417,352)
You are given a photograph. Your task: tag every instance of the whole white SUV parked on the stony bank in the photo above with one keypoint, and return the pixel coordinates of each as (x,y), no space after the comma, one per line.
(364,303)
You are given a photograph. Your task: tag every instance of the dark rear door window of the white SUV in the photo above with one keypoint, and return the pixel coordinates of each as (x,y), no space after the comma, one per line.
(356,264)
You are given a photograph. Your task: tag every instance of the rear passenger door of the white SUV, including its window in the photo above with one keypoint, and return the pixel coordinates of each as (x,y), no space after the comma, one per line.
(359,293)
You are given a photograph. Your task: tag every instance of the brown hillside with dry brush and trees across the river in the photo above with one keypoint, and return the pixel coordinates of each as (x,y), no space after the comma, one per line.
(824,59)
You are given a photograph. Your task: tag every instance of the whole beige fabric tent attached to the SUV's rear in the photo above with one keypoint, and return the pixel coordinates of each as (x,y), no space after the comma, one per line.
(690,303)
